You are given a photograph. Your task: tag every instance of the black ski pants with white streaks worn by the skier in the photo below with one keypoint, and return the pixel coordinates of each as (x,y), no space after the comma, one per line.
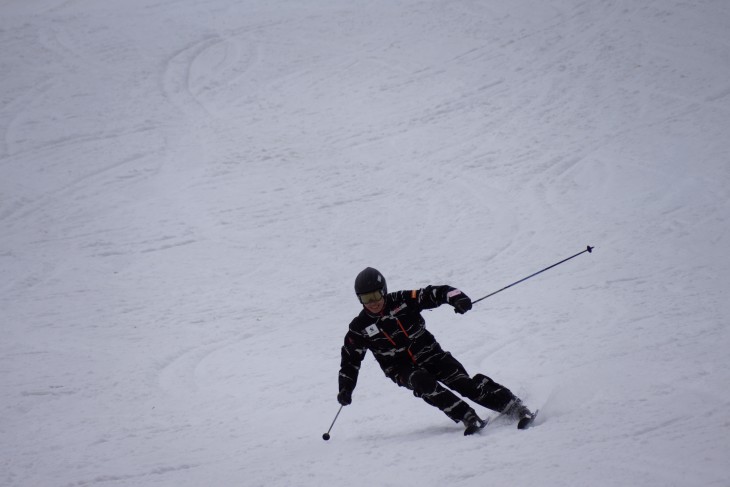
(427,380)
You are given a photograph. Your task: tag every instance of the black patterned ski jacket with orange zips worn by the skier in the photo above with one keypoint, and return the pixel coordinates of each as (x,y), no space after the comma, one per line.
(396,337)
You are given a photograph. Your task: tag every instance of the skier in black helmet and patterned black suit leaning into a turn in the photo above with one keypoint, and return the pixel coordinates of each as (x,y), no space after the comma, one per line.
(390,325)
